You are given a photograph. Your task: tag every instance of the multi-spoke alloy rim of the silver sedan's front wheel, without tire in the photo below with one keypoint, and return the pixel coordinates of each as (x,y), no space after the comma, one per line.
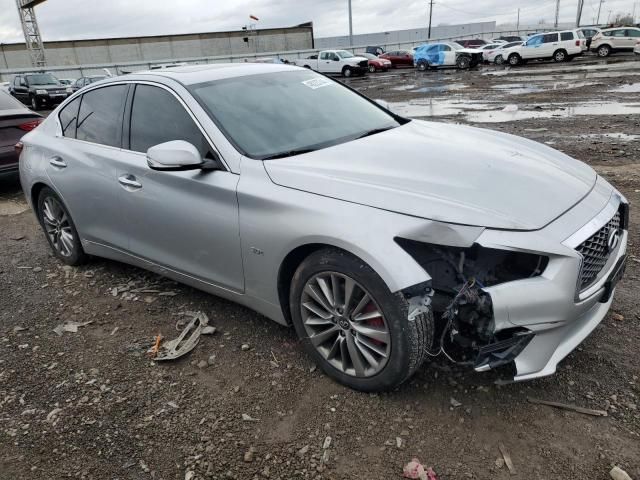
(345,324)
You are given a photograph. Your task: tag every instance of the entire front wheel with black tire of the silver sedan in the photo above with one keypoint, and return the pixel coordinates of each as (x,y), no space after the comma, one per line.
(407,341)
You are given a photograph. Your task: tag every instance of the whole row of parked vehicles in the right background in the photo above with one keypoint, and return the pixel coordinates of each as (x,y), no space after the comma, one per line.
(560,46)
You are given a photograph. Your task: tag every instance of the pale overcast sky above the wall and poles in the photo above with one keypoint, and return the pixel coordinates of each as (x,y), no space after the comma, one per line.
(75,19)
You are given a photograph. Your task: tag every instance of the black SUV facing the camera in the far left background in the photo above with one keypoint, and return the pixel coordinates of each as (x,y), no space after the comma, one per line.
(39,89)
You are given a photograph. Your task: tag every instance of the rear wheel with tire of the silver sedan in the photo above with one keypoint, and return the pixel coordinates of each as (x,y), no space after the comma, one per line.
(50,211)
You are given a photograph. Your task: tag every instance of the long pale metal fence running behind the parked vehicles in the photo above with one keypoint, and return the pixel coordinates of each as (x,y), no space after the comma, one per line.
(76,71)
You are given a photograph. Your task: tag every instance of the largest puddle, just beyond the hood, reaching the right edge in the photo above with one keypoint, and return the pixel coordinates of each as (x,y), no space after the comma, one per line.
(486,113)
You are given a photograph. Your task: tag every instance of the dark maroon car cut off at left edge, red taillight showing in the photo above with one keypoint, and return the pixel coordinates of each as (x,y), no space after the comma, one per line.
(15,121)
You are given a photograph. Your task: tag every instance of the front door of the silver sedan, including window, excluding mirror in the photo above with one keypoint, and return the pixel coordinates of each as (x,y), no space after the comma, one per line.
(186,221)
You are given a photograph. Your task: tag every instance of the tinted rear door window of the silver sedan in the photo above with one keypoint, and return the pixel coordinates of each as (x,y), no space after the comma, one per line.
(100,117)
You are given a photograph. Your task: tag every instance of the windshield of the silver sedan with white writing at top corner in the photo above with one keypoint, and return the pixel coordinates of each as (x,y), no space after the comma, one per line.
(284,113)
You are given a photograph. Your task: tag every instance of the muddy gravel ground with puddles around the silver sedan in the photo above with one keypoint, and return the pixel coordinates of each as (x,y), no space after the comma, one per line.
(91,404)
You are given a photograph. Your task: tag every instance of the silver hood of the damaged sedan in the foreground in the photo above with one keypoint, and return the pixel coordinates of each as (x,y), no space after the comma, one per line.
(444,172)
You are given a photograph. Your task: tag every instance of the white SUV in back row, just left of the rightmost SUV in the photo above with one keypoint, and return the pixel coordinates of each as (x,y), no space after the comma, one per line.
(560,46)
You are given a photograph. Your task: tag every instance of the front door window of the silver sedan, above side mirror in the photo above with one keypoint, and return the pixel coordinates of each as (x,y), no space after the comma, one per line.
(158,117)
